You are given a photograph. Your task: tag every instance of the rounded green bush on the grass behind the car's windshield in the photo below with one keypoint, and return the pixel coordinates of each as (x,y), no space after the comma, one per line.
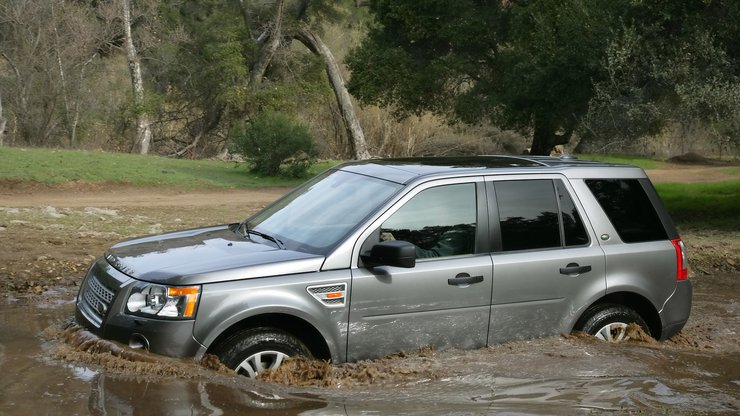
(275,144)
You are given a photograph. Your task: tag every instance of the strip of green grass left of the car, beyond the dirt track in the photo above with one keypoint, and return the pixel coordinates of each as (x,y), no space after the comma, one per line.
(49,166)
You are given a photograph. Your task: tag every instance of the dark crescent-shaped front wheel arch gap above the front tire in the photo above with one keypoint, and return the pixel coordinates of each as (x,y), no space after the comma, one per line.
(294,325)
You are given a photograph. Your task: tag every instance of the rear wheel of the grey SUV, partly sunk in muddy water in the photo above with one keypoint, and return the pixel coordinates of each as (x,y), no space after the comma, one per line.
(608,322)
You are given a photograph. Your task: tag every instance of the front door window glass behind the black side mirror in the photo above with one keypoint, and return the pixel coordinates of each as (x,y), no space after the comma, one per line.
(440,221)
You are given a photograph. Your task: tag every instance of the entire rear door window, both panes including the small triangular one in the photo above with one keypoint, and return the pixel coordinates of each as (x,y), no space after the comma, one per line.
(537,214)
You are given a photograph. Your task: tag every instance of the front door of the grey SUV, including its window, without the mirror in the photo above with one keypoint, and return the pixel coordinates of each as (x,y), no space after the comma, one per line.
(444,301)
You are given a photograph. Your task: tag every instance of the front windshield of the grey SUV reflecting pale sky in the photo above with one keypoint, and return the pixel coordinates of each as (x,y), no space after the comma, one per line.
(322,212)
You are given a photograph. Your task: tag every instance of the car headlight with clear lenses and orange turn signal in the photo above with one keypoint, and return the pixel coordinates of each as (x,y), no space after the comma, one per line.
(163,301)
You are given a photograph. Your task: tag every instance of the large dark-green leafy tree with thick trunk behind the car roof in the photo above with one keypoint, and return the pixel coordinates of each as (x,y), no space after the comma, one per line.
(524,65)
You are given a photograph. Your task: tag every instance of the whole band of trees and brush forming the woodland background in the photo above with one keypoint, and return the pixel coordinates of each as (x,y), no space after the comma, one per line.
(355,79)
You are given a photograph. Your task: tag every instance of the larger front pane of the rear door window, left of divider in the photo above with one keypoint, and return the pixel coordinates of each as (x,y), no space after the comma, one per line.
(528,214)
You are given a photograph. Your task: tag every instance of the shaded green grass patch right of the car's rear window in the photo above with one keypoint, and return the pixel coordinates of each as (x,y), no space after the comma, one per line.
(710,205)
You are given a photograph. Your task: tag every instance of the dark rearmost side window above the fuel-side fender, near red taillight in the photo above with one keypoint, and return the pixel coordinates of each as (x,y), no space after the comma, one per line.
(628,208)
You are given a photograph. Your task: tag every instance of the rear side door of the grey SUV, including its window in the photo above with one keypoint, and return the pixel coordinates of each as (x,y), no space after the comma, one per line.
(547,265)
